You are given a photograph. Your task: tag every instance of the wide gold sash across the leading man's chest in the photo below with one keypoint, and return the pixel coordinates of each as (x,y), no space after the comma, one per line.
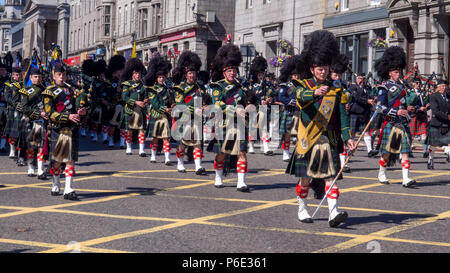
(308,136)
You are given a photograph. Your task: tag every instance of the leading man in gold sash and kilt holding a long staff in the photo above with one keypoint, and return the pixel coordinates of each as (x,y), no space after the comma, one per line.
(323,121)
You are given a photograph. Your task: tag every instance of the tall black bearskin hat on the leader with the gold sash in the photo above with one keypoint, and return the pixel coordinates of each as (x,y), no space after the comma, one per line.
(319,49)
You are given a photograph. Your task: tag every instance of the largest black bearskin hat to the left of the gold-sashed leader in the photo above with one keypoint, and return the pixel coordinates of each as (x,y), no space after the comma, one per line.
(227,56)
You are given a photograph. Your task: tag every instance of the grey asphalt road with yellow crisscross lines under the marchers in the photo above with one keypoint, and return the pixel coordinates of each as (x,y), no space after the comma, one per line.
(128,204)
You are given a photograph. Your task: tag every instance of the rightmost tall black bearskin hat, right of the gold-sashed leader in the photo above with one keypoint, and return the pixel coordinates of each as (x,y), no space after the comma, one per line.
(394,57)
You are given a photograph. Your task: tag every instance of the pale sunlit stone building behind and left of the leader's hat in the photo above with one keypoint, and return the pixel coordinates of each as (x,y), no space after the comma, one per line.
(261,24)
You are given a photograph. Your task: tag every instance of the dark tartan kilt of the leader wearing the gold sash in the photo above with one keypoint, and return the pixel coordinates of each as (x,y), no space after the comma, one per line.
(298,165)
